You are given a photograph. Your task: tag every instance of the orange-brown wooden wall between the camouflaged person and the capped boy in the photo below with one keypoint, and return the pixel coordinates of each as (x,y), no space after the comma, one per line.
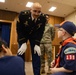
(56,42)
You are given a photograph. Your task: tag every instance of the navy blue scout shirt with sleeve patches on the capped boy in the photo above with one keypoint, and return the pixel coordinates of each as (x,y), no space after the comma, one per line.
(68,57)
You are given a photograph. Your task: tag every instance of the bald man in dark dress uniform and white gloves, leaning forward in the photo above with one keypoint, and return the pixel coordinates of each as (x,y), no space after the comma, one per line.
(30,27)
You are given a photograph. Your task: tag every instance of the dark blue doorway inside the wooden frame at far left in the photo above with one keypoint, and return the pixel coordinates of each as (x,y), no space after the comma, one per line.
(5,30)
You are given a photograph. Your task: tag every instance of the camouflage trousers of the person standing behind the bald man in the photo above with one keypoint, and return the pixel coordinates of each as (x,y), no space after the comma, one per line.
(46,49)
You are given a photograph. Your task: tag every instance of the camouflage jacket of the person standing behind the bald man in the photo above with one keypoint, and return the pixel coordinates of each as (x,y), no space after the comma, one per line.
(49,34)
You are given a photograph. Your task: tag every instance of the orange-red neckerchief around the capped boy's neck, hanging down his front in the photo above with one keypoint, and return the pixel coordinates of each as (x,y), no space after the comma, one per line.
(72,40)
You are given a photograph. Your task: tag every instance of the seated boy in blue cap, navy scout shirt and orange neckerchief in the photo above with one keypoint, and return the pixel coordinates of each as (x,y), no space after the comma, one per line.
(65,63)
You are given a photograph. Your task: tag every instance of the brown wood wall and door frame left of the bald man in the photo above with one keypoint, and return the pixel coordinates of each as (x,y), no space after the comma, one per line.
(8,16)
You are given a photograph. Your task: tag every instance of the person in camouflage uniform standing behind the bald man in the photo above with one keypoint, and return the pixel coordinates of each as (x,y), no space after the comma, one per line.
(46,46)
